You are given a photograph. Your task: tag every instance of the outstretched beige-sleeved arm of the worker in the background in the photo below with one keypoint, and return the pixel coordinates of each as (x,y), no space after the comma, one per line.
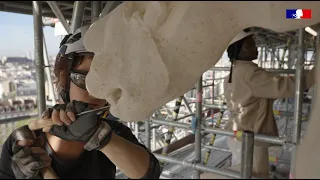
(271,85)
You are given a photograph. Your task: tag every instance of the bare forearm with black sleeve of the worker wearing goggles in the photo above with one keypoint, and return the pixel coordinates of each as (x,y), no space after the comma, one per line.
(132,158)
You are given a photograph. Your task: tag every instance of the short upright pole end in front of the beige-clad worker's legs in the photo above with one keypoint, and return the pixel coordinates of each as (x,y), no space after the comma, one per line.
(247,154)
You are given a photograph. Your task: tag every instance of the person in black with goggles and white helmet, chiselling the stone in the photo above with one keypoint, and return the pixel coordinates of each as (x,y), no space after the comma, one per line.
(89,146)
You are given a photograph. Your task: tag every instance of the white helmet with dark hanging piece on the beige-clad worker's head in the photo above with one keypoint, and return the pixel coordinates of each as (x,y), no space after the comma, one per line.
(234,48)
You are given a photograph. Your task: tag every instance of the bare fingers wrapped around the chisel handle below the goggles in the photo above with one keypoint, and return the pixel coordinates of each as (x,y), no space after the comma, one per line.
(61,113)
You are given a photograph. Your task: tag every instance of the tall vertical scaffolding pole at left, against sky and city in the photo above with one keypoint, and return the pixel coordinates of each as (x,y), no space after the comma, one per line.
(38,45)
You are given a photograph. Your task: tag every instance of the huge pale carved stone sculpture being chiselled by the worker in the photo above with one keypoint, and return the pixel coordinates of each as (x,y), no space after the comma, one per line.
(148,53)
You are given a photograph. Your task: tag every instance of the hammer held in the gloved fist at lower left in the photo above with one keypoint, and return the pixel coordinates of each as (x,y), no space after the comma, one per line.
(25,133)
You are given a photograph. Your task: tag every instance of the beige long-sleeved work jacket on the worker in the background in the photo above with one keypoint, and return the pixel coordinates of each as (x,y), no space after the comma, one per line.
(250,95)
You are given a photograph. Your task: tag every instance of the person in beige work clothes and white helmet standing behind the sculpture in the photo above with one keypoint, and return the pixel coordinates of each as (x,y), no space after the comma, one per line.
(249,94)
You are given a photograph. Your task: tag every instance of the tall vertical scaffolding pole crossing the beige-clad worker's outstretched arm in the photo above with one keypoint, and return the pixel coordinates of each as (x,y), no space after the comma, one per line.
(298,100)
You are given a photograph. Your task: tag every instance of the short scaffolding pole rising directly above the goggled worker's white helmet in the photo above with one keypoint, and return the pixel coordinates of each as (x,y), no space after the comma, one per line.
(77,15)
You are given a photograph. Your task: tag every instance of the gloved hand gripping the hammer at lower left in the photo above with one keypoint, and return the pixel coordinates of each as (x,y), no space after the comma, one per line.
(28,160)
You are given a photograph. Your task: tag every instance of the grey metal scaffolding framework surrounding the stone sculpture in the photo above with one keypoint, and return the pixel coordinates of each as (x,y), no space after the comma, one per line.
(248,138)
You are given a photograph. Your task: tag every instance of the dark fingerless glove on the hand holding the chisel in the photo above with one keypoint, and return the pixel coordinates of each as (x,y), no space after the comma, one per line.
(87,128)
